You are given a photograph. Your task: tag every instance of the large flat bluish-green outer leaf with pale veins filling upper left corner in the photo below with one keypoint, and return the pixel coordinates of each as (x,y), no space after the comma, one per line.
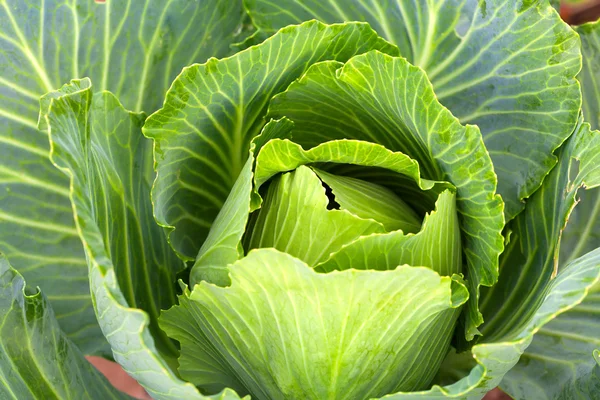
(132,47)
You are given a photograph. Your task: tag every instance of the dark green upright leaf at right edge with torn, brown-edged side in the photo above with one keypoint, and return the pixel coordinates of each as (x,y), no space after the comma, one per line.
(532,254)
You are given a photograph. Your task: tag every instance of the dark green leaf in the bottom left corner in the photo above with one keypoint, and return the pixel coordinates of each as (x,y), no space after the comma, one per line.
(37,360)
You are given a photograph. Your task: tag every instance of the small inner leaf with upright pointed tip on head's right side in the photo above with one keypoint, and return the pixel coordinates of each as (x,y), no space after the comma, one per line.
(436,246)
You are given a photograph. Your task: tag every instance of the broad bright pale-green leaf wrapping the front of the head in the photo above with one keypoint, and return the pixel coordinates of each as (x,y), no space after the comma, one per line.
(285,331)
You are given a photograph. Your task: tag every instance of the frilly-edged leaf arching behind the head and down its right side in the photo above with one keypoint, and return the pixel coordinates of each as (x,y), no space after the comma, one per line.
(385,100)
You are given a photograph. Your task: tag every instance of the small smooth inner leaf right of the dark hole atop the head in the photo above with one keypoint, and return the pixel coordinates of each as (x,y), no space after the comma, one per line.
(370,200)
